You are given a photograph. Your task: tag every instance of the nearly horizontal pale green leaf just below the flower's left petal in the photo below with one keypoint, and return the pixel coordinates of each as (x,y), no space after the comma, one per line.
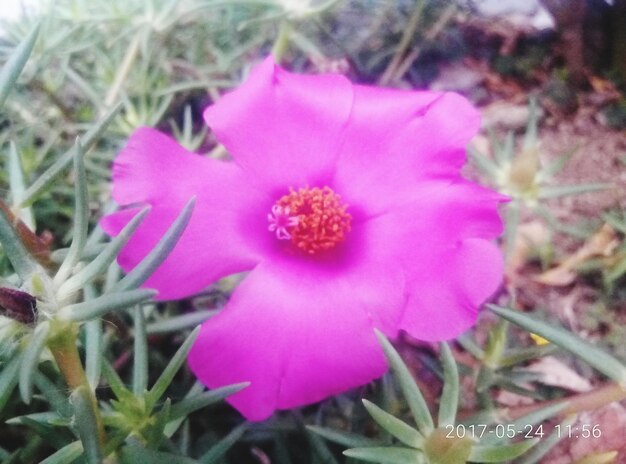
(91,309)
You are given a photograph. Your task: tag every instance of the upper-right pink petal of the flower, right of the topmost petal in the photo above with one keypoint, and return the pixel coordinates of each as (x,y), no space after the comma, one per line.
(397,138)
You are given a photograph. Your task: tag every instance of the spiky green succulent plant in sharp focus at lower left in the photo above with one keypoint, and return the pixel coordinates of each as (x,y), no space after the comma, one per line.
(44,308)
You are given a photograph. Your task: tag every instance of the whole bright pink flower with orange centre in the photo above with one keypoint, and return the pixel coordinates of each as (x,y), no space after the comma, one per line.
(346,205)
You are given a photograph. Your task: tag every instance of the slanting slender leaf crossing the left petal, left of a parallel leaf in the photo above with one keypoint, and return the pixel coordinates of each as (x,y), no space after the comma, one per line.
(104,258)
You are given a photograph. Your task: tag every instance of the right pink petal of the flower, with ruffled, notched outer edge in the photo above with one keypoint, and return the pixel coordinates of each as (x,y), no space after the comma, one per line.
(442,243)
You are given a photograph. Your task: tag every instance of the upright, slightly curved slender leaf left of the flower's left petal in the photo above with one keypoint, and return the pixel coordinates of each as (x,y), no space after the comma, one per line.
(81,217)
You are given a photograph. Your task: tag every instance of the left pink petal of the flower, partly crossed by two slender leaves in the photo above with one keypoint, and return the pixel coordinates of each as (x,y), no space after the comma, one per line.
(226,233)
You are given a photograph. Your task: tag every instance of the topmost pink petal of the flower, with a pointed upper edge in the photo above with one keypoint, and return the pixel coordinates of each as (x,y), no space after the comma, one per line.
(283,128)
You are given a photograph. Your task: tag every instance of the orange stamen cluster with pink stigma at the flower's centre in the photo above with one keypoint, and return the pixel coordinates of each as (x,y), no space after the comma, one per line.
(313,219)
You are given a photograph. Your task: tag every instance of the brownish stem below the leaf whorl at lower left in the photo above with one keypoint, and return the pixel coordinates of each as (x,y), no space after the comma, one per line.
(62,344)
